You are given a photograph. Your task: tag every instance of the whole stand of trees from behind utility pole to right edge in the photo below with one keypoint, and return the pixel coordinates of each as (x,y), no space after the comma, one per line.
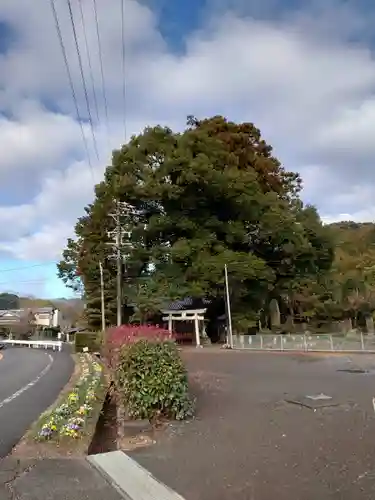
(191,202)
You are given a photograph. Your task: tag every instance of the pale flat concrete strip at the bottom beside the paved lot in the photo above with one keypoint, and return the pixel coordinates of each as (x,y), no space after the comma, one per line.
(132,480)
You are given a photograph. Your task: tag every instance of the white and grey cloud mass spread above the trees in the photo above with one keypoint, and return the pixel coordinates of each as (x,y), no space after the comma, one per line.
(311,95)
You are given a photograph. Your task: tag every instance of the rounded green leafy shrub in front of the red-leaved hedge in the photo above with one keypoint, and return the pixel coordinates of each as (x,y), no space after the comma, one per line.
(153,381)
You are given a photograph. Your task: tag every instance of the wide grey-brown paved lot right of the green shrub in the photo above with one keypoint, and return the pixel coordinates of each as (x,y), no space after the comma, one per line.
(247,442)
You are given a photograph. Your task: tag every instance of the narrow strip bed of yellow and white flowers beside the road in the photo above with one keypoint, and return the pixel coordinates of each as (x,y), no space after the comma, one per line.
(70,419)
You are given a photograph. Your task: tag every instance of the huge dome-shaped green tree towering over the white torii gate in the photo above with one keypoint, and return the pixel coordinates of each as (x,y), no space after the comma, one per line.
(211,196)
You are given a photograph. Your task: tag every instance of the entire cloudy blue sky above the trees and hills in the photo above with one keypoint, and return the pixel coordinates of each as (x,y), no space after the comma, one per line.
(303,72)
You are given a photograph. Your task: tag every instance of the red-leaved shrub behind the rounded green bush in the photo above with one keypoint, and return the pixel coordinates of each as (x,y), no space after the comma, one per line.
(119,336)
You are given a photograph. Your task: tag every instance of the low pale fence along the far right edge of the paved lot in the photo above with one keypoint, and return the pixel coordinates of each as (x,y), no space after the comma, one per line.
(305,343)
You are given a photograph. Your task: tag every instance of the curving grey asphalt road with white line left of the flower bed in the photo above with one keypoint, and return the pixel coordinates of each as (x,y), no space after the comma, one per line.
(30,381)
